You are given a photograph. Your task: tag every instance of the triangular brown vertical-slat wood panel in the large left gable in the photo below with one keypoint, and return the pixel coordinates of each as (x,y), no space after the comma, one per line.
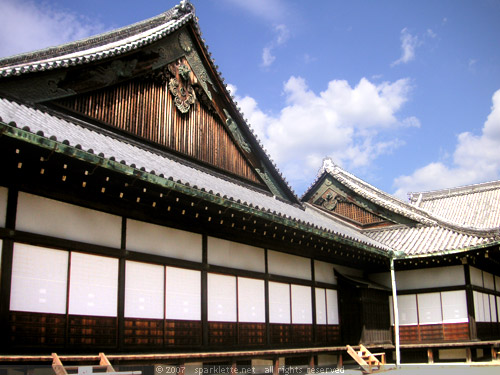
(146,108)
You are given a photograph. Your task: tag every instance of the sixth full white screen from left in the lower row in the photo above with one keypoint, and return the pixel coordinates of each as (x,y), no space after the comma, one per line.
(251,301)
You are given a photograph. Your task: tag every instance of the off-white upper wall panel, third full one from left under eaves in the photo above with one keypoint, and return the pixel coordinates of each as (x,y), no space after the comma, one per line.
(235,255)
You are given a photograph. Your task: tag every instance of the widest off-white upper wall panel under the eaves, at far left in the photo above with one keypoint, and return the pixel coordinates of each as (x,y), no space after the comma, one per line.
(58,219)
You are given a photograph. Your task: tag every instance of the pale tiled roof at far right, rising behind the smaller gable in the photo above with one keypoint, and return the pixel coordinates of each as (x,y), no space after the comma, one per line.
(473,206)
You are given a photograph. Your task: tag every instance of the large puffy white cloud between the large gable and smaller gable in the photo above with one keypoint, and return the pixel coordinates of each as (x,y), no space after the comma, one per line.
(350,124)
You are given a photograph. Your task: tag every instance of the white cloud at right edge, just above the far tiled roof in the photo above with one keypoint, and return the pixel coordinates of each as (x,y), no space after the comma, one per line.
(475,159)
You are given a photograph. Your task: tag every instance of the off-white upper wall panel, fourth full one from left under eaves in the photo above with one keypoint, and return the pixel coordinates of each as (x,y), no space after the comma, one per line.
(289,265)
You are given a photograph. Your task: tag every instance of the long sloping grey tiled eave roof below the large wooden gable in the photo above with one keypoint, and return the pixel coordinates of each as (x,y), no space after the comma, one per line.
(74,132)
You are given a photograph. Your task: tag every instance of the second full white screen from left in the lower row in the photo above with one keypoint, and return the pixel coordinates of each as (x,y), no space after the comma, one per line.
(93,285)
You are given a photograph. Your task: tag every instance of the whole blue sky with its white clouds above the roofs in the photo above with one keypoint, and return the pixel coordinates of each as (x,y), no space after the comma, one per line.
(403,94)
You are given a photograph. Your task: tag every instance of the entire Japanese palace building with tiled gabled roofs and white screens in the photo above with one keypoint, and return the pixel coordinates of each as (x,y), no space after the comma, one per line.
(140,215)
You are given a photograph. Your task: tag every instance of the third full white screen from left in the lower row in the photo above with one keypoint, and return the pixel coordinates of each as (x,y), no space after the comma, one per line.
(144,294)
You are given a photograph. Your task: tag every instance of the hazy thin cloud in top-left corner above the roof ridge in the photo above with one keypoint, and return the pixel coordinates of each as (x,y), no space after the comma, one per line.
(28,26)
